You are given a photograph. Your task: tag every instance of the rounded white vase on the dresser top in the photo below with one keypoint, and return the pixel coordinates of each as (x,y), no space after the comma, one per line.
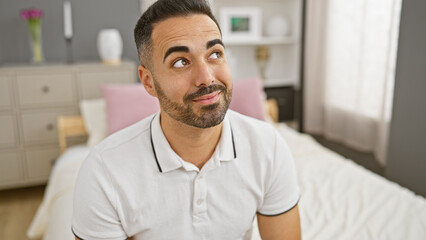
(110,46)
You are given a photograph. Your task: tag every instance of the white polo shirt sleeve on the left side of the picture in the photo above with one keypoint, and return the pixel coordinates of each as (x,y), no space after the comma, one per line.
(95,214)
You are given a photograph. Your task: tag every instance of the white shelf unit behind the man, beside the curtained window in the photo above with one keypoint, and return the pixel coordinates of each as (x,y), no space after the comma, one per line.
(284,63)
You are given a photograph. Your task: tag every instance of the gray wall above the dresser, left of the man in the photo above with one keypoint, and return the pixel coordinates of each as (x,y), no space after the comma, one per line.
(89,16)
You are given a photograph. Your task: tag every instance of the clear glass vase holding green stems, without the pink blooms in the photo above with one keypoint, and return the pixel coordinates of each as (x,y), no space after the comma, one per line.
(36,42)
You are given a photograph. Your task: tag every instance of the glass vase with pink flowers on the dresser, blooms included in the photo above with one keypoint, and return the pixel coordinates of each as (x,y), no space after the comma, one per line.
(33,17)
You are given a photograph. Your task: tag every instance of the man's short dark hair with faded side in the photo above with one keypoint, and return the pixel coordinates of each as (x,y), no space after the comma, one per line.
(159,11)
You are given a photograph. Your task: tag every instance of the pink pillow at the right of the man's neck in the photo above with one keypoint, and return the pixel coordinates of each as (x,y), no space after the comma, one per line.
(247,98)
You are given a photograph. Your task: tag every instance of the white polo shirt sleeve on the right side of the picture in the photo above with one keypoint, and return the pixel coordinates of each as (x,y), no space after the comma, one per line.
(281,188)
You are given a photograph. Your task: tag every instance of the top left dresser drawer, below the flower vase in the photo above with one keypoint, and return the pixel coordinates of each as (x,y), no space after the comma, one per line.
(52,89)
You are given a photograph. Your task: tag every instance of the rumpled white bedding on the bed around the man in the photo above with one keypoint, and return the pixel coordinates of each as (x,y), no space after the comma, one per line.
(340,200)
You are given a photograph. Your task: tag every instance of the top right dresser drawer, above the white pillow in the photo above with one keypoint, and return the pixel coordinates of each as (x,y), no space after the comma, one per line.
(90,83)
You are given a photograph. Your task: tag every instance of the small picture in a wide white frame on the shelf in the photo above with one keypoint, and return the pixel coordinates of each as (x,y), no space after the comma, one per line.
(241,23)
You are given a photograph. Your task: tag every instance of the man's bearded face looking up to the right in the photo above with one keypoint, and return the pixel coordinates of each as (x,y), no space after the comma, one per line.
(191,75)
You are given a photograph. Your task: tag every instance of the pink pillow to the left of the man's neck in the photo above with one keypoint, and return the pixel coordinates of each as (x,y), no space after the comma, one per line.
(126,104)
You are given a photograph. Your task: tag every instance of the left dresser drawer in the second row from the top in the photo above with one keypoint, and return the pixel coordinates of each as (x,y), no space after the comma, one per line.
(41,126)
